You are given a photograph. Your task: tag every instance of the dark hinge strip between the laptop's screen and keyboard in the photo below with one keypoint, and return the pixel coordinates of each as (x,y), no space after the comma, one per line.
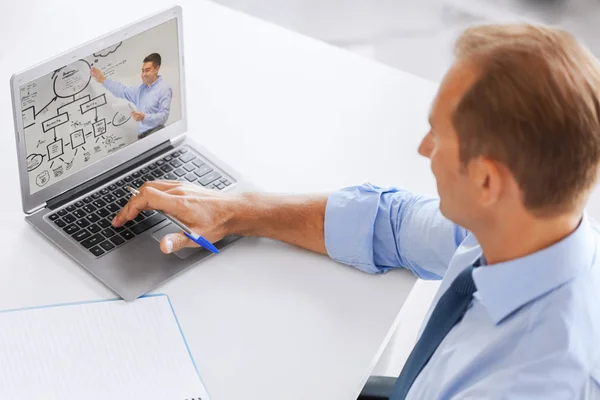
(100,180)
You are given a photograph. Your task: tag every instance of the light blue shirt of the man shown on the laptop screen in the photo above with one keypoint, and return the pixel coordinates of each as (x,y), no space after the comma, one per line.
(154,101)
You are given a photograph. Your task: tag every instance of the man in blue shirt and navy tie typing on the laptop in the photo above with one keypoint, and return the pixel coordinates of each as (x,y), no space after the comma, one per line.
(514,146)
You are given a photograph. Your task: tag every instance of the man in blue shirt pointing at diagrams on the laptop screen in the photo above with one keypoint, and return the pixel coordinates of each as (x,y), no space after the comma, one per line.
(152,98)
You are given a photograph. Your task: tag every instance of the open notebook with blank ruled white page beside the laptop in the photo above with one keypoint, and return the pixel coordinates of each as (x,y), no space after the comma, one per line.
(108,349)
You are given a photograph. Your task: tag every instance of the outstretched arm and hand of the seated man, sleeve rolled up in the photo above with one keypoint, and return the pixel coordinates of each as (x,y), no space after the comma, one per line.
(370,228)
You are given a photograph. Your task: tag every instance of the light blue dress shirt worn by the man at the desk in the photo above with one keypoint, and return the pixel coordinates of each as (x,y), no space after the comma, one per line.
(532,330)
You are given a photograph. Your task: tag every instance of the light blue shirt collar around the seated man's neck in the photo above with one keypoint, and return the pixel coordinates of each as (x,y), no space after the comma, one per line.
(504,287)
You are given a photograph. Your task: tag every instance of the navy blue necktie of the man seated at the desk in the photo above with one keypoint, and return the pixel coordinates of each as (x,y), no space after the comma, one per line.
(448,312)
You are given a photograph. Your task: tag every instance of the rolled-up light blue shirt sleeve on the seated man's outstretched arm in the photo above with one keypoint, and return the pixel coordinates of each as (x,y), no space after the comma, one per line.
(377,229)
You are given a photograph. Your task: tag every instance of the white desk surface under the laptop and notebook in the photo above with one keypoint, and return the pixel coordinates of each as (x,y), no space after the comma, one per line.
(263,320)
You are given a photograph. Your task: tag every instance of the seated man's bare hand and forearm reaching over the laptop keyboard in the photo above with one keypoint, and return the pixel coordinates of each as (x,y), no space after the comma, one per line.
(298,220)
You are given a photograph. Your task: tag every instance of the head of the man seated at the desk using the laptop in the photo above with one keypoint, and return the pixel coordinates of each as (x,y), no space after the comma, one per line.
(515,127)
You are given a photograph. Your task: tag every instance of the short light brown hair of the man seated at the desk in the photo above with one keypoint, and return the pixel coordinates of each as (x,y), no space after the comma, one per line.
(535,108)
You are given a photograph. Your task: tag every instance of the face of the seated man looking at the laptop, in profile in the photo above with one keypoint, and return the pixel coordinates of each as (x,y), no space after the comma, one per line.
(455,187)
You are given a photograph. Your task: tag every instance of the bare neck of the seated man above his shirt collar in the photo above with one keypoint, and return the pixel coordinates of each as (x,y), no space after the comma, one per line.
(511,239)
